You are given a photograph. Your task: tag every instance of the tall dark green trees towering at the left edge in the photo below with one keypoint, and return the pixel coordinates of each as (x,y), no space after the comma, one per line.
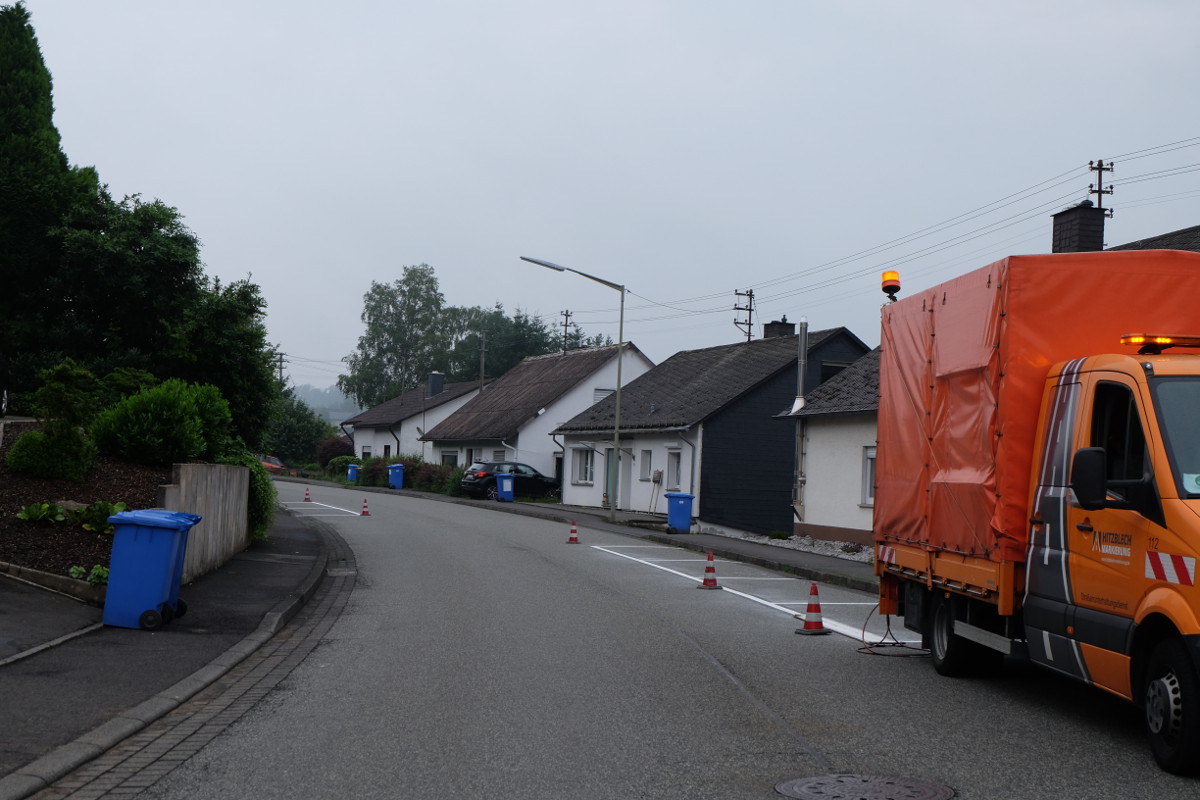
(117,287)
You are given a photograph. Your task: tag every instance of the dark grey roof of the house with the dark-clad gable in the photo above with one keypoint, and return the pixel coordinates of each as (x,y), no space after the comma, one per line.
(692,386)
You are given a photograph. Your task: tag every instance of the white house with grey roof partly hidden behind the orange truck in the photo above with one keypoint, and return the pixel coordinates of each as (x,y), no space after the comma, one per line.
(836,495)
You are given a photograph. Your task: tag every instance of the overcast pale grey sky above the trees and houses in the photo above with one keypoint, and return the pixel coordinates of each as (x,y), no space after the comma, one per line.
(685,148)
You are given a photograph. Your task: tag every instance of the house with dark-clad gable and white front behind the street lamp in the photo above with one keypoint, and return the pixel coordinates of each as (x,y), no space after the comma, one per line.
(704,423)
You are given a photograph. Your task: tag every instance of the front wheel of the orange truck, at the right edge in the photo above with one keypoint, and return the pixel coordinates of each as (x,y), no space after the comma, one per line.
(1173,717)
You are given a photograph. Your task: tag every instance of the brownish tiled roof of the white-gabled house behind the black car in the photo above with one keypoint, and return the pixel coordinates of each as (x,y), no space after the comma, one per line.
(517,396)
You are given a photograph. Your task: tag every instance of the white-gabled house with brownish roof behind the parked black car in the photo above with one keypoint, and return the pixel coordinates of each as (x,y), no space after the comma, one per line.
(514,417)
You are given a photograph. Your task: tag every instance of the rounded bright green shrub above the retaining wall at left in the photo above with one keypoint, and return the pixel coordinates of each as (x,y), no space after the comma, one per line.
(165,424)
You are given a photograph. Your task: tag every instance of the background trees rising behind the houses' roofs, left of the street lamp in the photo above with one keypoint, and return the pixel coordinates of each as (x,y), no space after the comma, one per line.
(410,332)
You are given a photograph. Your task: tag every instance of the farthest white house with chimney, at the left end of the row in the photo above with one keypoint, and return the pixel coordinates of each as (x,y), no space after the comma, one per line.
(395,428)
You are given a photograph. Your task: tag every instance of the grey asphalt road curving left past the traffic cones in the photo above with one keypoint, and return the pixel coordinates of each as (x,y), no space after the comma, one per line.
(482,655)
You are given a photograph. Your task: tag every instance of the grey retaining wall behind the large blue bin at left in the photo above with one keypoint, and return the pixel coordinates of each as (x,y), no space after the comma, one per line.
(220,495)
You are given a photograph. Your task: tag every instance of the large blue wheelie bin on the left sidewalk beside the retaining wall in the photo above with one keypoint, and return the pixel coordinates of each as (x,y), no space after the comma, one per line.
(147,568)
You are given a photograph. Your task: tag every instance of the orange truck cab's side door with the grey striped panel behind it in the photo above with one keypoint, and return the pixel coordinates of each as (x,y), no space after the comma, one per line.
(1083,579)
